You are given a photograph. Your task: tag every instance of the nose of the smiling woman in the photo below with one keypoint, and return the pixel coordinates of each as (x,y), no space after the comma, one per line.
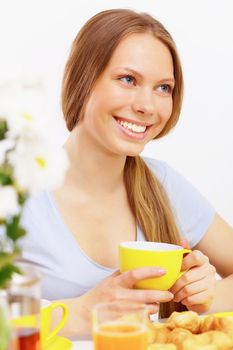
(144,103)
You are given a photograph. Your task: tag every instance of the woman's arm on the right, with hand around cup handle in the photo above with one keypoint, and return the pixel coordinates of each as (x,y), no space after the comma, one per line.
(198,289)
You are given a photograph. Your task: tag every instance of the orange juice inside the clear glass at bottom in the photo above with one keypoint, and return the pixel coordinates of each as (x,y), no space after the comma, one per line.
(120,336)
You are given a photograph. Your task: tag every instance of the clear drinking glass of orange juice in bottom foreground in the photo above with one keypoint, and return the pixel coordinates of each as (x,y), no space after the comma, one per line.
(120,325)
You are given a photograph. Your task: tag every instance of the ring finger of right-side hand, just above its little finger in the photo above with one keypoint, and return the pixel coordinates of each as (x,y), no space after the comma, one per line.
(193,288)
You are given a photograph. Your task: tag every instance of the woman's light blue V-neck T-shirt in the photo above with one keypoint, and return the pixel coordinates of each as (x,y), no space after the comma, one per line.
(67,271)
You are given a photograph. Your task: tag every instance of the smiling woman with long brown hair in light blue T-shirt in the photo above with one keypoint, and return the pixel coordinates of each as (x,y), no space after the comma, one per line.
(122,88)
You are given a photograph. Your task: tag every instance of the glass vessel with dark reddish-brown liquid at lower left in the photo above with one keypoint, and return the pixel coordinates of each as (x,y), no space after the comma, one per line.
(24,295)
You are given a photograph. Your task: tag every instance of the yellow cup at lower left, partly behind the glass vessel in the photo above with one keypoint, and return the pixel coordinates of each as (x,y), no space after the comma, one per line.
(46,333)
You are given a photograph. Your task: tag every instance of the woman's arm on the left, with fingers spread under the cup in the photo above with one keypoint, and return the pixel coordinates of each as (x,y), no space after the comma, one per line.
(118,286)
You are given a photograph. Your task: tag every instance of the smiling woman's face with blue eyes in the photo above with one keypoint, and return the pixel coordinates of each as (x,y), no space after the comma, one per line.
(132,99)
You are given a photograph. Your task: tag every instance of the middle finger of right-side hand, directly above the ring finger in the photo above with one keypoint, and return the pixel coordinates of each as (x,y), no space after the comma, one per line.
(193,275)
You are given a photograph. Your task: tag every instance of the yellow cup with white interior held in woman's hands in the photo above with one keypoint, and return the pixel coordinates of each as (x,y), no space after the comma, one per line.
(167,256)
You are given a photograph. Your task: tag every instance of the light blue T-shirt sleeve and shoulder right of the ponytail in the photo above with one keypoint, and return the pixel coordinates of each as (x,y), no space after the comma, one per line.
(192,210)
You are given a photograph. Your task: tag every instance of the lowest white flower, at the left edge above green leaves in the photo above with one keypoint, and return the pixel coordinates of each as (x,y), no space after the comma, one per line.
(8,202)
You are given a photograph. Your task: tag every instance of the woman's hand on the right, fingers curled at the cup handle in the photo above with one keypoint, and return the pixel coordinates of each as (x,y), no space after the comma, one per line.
(196,287)
